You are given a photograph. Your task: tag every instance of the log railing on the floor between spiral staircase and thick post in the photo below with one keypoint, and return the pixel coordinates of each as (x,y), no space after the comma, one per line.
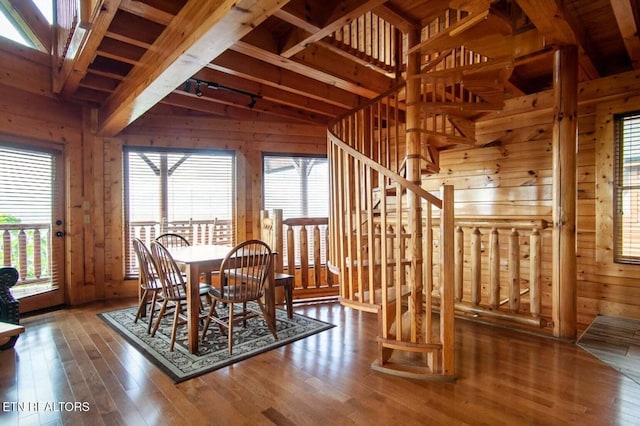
(499,272)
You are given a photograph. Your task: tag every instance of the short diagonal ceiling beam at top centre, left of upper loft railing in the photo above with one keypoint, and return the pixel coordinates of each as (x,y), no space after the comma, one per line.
(343,13)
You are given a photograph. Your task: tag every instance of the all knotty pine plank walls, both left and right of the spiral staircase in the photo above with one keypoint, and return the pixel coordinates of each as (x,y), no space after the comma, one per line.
(508,174)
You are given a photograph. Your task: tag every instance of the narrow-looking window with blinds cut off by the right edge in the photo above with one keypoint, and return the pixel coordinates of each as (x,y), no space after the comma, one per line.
(627,189)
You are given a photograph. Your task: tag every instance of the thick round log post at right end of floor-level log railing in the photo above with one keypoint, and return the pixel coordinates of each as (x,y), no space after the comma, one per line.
(564,147)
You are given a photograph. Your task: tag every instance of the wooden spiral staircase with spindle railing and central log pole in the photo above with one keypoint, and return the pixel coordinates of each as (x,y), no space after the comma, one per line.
(391,259)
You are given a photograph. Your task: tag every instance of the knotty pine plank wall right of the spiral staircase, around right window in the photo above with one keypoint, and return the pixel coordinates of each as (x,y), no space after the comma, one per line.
(508,174)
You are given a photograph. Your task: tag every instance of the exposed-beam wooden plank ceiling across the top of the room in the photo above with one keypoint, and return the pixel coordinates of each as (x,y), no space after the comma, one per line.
(139,54)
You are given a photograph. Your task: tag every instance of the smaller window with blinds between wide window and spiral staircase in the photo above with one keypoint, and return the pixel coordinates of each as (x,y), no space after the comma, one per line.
(300,187)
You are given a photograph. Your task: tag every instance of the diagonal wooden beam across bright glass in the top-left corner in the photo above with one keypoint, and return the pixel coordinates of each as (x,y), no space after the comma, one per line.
(31,21)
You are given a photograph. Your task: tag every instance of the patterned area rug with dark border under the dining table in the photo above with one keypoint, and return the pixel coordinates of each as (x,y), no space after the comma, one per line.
(181,365)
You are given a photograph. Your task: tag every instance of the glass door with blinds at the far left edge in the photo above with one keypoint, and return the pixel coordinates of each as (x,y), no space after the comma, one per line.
(32,224)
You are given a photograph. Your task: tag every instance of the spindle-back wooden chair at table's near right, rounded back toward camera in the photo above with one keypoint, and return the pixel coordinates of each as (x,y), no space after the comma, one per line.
(243,274)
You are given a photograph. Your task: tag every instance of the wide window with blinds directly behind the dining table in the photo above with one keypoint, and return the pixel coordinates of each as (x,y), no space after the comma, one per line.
(186,191)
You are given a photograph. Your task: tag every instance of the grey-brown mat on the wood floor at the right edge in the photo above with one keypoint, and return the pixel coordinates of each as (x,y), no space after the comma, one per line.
(616,342)
